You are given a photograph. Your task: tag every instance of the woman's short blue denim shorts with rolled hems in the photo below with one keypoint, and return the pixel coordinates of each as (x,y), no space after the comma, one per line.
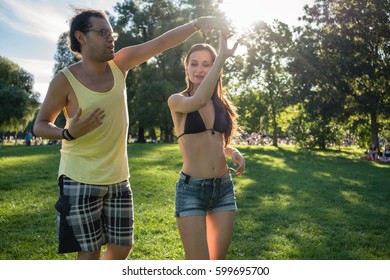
(198,196)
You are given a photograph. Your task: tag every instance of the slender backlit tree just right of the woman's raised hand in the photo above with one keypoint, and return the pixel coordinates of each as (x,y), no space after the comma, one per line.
(266,71)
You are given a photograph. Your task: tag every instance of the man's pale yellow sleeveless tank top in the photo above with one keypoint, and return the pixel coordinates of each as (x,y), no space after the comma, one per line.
(100,156)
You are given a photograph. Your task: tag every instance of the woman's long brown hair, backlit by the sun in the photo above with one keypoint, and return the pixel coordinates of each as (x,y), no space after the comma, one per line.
(221,103)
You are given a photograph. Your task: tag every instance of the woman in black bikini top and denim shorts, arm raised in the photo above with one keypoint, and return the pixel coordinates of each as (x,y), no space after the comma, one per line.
(204,124)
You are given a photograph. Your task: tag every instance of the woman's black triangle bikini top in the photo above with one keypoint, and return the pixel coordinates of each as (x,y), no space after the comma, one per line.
(194,123)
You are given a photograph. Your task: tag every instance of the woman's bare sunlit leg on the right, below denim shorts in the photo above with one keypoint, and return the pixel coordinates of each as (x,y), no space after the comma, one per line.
(219,233)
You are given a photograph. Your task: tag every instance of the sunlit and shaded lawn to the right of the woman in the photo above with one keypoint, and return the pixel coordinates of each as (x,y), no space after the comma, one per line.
(311,205)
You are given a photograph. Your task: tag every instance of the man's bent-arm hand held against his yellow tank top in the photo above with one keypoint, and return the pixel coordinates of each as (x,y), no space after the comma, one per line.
(81,126)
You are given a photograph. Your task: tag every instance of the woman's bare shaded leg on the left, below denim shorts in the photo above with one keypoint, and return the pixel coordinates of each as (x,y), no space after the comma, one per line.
(193,235)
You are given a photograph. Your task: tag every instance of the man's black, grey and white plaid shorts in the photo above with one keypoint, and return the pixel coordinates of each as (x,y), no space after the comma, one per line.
(92,215)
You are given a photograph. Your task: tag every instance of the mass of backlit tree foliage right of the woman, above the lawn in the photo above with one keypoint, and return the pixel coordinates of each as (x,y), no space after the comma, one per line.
(334,66)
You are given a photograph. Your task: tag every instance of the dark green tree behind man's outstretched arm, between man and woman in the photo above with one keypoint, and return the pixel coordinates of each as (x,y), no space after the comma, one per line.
(150,84)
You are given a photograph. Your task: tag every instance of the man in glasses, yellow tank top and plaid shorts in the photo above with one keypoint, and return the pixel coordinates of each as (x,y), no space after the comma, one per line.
(95,203)
